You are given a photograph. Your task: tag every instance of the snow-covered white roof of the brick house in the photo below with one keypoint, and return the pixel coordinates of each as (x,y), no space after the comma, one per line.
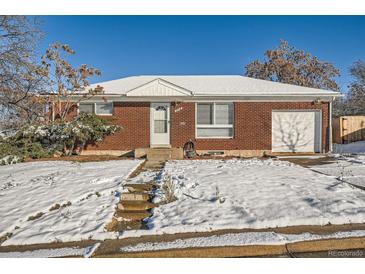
(210,85)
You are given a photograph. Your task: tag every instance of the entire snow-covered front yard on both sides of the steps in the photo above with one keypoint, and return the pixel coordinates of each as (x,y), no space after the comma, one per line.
(46,202)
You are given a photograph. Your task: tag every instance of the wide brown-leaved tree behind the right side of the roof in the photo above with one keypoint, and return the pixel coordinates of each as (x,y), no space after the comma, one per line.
(286,64)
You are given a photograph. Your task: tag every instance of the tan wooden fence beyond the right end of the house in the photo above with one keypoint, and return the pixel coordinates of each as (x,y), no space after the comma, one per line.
(348,129)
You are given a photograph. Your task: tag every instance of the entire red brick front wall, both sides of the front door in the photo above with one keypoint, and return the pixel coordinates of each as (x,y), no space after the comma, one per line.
(252,126)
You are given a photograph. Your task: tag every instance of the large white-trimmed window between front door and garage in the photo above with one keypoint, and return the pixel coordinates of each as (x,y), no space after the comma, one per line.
(214,120)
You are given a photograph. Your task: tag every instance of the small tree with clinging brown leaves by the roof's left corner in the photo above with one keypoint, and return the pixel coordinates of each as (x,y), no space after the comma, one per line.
(67,82)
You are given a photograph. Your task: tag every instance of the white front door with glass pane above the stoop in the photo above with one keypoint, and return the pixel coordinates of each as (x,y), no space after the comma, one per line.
(160,124)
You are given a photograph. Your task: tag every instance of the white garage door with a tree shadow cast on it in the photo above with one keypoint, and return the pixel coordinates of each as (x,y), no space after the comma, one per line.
(296,131)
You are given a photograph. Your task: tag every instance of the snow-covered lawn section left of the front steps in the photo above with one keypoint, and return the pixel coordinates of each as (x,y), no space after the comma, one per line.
(54,201)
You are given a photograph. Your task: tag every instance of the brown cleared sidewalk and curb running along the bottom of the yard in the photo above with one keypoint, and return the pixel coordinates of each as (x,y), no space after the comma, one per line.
(112,248)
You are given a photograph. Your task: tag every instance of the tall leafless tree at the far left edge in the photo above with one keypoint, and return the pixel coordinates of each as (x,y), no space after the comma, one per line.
(21,78)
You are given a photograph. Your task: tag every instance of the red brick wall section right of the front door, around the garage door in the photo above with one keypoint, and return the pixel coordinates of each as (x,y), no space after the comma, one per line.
(252,125)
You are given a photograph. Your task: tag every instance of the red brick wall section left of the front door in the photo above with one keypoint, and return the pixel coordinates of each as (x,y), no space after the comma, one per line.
(134,118)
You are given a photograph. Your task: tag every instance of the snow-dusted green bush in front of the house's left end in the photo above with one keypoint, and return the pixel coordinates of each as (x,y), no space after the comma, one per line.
(39,141)
